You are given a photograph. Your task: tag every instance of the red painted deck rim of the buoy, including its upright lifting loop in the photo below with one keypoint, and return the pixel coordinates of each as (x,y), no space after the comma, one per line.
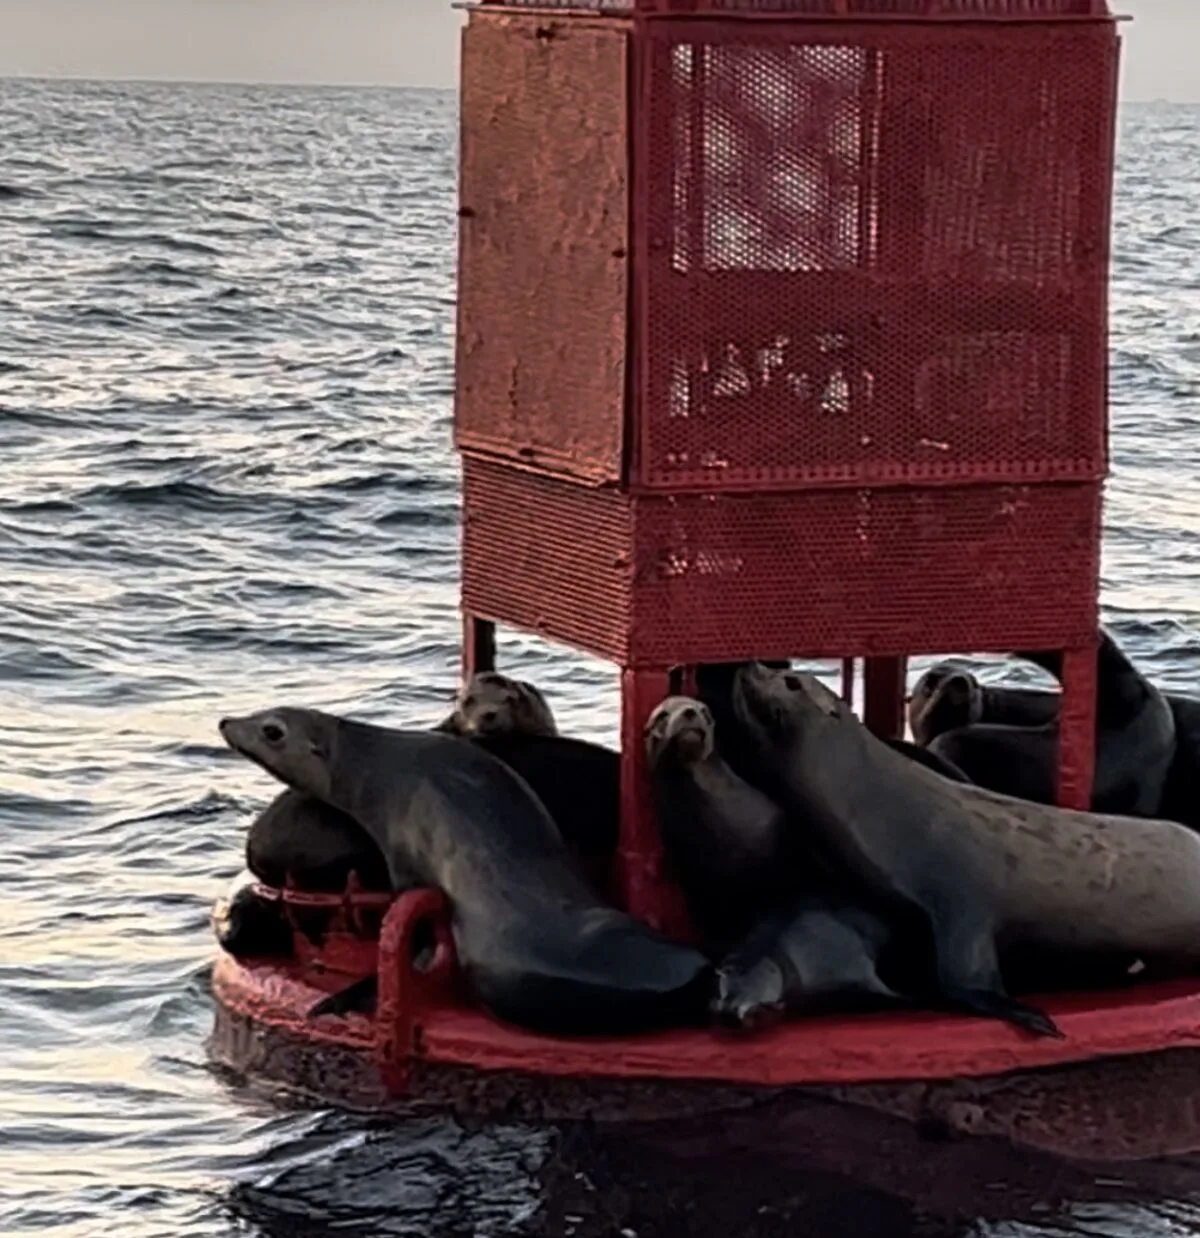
(423,1017)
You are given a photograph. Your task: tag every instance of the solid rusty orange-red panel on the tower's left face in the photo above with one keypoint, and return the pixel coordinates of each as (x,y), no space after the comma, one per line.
(544,243)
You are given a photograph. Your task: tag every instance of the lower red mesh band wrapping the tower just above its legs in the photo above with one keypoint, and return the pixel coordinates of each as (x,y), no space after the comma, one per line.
(666,580)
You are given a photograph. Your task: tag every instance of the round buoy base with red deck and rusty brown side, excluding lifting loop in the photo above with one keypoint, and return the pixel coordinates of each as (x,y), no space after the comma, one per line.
(1125,1105)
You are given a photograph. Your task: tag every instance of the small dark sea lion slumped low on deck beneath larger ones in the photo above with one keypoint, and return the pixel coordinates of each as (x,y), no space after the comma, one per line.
(819,954)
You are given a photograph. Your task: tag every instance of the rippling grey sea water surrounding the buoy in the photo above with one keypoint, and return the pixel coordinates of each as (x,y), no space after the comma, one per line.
(226,480)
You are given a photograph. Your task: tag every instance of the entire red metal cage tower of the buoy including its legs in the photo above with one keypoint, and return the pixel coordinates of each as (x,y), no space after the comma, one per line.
(783,334)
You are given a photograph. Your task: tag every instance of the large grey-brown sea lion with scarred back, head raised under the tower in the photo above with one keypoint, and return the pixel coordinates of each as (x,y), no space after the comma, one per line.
(983,871)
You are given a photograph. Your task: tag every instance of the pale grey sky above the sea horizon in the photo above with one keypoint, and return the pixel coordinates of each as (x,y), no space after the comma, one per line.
(412,43)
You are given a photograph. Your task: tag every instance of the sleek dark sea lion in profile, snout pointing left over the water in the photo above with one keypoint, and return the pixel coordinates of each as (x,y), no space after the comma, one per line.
(537,946)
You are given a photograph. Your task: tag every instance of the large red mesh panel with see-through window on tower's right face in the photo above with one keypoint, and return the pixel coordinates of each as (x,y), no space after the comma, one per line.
(874,253)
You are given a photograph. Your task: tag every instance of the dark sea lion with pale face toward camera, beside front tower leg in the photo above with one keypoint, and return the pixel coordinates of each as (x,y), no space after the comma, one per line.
(728,844)
